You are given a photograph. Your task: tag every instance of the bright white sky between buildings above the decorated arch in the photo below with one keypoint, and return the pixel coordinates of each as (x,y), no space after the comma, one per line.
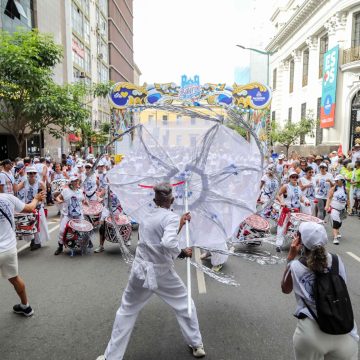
(175,37)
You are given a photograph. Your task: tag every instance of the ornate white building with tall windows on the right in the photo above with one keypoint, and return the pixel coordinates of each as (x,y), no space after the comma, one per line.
(305,31)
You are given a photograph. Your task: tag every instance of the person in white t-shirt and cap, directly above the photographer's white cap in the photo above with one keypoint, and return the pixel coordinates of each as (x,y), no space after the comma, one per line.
(323,182)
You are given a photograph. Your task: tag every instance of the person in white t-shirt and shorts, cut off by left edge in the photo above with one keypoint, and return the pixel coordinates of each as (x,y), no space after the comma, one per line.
(9,204)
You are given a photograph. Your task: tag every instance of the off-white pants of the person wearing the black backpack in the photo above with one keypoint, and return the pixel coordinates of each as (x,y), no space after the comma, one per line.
(310,343)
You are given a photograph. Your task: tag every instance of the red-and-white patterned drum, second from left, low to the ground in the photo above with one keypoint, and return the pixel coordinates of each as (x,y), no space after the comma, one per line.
(77,233)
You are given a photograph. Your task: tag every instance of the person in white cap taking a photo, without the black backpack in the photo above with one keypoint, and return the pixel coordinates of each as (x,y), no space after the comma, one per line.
(309,341)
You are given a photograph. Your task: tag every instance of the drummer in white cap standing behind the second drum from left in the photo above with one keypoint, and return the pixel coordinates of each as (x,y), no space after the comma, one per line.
(72,197)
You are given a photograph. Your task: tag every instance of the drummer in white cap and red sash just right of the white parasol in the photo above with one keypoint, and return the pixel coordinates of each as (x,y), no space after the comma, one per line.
(290,198)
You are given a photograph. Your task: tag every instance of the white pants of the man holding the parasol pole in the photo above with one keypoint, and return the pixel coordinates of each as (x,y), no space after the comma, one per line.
(172,290)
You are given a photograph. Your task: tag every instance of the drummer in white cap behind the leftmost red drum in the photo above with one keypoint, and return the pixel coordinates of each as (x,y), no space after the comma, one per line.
(33,185)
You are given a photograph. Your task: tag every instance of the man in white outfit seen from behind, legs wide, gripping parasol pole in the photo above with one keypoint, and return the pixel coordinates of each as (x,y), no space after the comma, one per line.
(153,273)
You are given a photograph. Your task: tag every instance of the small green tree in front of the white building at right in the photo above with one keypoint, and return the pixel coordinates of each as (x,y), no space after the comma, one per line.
(289,134)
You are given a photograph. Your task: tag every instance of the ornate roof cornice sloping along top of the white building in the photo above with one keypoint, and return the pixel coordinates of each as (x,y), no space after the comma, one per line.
(303,13)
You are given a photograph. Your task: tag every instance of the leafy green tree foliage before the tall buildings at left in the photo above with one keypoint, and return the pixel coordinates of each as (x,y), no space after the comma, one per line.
(30,100)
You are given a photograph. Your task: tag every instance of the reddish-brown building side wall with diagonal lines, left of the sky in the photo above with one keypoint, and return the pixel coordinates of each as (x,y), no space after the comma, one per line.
(121,51)
